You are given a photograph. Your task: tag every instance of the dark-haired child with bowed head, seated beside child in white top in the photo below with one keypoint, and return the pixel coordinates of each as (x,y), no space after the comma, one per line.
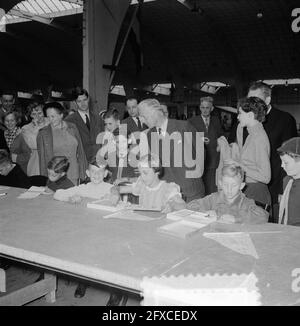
(57,174)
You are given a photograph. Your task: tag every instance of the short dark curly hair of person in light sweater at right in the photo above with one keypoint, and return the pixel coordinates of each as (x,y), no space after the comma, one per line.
(255,105)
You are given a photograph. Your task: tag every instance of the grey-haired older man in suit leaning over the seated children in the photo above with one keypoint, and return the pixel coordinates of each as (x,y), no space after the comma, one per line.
(175,143)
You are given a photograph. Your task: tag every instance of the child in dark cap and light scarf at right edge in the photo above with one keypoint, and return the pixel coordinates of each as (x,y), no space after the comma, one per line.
(289,209)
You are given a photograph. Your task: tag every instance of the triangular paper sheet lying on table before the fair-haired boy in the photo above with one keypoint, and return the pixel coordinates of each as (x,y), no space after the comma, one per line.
(237,241)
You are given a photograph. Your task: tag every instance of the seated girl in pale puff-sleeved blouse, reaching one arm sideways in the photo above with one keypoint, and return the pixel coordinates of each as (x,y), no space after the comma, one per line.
(153,192)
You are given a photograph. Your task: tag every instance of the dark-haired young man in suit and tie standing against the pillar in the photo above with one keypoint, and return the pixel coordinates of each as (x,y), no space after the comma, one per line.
(87,122)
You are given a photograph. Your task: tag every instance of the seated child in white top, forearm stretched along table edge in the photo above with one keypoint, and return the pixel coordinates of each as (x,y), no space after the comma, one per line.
(96,188)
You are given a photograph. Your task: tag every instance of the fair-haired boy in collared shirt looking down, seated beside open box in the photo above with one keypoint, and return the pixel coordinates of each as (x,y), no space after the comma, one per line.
(230,204)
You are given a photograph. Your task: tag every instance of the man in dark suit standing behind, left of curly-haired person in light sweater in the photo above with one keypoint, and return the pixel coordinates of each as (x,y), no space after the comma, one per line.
(211,126)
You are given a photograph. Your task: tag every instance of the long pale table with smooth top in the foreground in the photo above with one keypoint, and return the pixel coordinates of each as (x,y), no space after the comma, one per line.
(75,240)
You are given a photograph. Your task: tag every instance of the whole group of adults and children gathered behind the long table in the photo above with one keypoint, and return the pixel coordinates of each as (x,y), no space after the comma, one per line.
(159,162)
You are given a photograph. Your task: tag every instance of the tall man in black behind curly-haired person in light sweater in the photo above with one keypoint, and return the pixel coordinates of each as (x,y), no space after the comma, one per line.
(280,126)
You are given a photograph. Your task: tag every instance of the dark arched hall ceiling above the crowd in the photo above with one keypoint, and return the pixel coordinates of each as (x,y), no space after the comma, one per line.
(223,41)
